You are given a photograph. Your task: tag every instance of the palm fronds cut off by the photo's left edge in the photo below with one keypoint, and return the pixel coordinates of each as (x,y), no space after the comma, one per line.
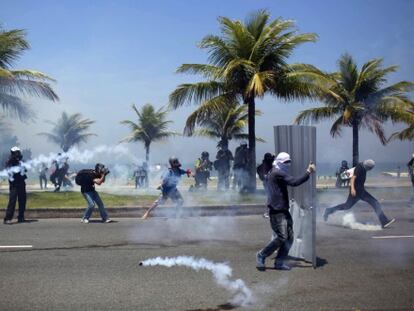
(14,83)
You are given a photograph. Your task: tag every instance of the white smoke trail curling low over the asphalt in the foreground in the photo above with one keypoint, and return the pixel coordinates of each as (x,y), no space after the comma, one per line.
(221,272)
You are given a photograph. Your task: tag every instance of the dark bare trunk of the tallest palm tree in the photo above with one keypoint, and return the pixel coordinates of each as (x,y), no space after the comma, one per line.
(252,143)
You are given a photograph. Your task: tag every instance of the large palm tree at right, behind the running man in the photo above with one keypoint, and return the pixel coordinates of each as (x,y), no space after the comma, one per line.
(357,98)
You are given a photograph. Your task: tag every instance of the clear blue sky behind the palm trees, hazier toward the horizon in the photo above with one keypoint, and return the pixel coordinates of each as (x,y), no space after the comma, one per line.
(108,55)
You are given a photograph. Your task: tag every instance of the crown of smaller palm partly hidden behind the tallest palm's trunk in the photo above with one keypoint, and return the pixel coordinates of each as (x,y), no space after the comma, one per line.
(225,124)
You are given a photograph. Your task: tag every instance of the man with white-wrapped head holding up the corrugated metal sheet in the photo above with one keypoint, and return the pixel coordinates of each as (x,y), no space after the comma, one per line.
(278,203)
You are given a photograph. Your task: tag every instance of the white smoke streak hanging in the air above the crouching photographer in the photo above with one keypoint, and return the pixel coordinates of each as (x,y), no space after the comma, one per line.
(74,155)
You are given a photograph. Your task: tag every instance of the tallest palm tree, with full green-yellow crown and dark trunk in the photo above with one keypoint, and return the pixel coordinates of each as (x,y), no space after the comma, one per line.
(247,61)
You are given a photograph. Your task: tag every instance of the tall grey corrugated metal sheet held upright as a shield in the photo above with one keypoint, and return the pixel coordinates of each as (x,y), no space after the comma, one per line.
(300,142)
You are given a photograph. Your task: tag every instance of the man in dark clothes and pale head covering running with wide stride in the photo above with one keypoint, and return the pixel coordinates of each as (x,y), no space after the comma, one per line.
(358,192)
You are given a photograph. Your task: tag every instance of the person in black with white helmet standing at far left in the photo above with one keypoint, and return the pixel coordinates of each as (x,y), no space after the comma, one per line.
(17,186)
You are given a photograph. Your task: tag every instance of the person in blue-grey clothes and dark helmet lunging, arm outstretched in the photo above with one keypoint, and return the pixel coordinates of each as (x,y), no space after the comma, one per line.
(168,186)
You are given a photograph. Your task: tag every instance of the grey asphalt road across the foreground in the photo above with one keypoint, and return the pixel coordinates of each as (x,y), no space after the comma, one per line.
(74,266)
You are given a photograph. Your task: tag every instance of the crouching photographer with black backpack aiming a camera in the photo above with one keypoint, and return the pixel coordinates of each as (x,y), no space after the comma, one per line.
(87,180)
